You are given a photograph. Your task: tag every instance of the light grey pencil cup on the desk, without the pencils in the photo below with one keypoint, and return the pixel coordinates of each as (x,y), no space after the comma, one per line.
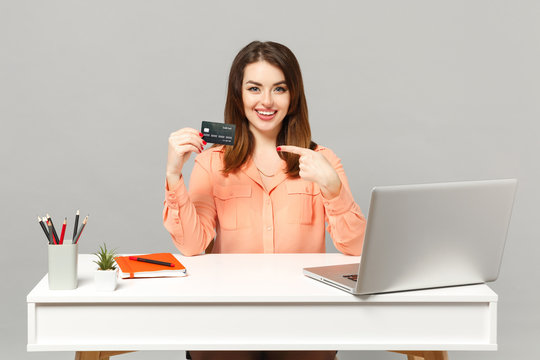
(63,266)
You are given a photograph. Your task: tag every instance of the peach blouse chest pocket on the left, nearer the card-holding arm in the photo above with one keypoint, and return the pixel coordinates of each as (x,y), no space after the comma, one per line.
(232,206)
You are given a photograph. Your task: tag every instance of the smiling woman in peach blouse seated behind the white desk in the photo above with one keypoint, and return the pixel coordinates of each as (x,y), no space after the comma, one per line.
(273,190)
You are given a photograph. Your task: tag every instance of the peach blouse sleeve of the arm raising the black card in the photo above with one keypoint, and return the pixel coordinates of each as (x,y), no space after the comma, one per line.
(190,217)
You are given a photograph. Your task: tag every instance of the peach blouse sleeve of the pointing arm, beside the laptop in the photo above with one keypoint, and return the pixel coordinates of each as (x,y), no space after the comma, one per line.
(346,223)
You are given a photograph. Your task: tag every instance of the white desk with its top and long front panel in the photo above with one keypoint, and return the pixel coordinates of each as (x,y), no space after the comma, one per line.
(255,302)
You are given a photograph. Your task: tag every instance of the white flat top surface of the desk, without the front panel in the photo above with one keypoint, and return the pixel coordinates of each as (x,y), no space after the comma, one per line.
(243,278)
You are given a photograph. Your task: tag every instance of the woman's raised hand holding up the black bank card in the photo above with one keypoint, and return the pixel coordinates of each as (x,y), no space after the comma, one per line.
(181,144)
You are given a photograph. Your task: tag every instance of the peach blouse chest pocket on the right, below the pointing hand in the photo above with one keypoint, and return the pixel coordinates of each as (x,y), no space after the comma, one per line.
(301,201)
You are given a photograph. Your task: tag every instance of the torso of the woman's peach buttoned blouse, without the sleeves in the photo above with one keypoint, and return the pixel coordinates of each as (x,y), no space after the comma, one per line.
(282,216)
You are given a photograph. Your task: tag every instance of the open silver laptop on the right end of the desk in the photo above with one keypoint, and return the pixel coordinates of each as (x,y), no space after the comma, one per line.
(428,236)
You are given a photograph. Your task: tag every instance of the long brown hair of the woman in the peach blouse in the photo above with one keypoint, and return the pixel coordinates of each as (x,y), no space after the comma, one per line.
(295,128)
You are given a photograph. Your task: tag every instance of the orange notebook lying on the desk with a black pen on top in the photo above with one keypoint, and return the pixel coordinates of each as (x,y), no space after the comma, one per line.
(138,269)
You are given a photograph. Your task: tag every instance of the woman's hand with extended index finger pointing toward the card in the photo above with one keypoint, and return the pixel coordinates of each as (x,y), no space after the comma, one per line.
(315,167)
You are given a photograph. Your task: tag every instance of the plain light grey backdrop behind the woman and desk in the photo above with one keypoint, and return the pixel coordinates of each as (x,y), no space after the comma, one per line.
(403,91)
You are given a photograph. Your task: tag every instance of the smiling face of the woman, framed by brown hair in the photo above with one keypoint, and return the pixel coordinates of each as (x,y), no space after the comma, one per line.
(266,97)
